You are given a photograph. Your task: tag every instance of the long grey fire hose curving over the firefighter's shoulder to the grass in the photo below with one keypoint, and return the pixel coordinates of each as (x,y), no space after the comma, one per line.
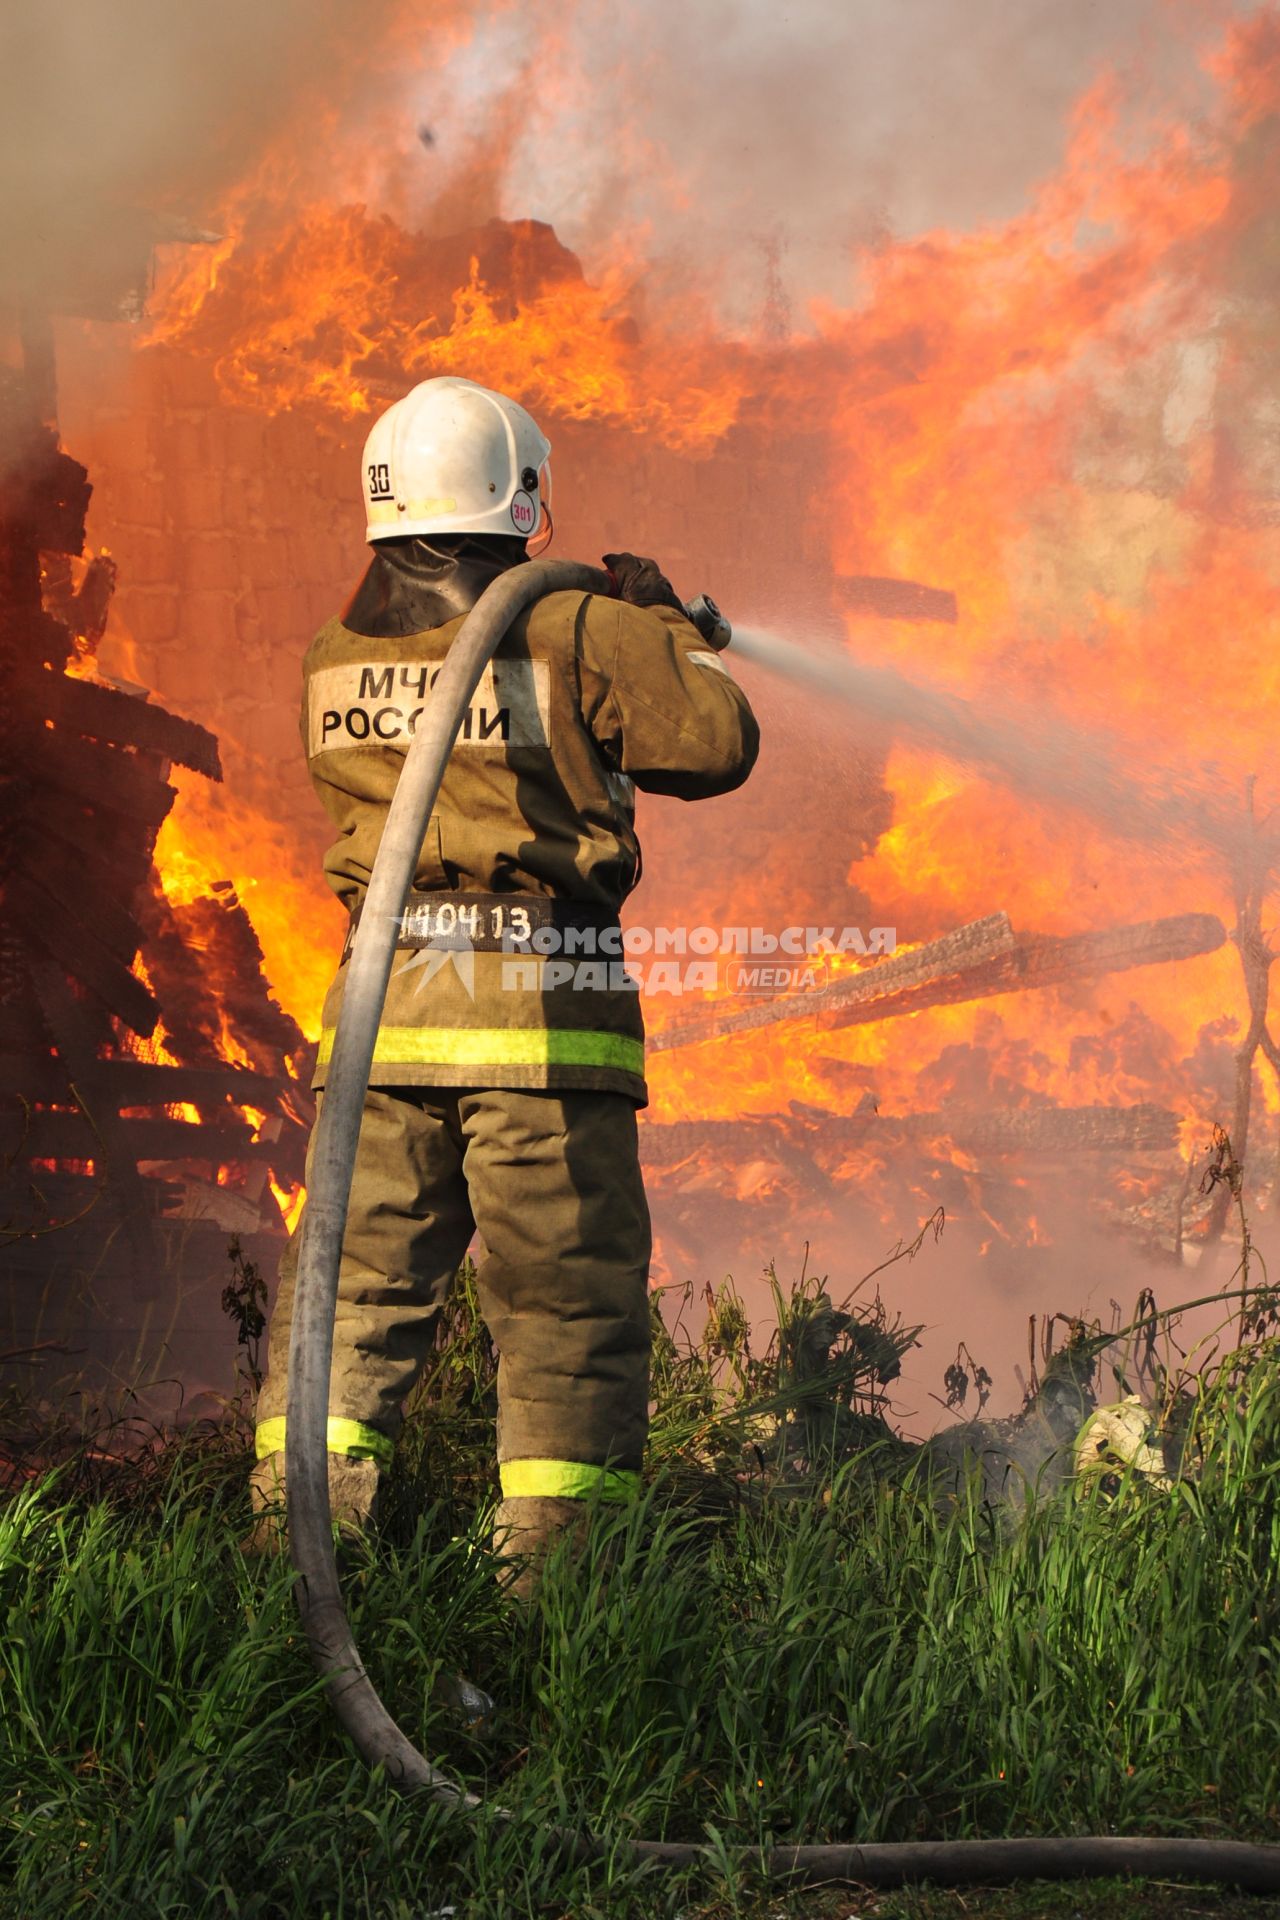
(323,1614)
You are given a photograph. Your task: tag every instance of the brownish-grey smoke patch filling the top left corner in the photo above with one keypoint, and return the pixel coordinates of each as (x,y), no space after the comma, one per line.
(126,124)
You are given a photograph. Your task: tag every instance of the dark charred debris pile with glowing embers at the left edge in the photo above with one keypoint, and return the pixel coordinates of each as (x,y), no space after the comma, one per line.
(151,1101)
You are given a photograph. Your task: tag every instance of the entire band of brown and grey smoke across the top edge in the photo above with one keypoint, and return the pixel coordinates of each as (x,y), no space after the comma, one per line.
(744,145)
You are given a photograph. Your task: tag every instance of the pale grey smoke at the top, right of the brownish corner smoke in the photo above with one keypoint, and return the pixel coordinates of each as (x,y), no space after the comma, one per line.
(751,149)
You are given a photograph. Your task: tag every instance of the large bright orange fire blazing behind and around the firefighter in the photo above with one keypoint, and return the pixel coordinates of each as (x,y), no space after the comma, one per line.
(1062,420)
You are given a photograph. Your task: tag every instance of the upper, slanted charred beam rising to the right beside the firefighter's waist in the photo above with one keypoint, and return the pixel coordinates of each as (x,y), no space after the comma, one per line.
(987,965)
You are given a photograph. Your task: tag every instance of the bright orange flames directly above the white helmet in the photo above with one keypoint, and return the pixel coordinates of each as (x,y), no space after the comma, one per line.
(344,314)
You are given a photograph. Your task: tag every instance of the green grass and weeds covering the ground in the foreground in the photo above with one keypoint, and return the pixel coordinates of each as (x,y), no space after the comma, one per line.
(786,1641)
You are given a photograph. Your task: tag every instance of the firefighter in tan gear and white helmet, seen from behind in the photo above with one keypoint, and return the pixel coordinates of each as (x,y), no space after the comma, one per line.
(510,1061)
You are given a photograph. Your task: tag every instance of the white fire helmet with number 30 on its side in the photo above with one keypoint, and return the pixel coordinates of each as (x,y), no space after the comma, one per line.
(454,458)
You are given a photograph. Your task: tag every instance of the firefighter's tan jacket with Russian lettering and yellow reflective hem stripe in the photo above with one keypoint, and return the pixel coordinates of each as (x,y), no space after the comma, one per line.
(533,840)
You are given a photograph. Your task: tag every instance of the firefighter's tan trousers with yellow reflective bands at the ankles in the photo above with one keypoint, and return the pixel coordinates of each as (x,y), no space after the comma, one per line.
(554,1186)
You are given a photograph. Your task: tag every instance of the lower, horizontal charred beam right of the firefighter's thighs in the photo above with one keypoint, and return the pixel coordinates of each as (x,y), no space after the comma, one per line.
(1018,1130)
